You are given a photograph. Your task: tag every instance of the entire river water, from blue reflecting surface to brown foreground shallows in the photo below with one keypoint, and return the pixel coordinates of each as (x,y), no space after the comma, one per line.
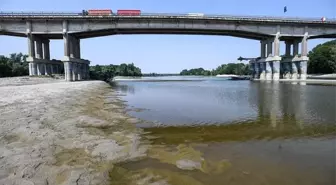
(233,132)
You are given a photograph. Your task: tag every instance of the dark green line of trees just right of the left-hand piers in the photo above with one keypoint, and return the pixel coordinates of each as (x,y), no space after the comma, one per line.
(107,72)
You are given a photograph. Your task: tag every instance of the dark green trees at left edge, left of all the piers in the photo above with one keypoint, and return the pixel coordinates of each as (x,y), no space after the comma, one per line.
(14,65)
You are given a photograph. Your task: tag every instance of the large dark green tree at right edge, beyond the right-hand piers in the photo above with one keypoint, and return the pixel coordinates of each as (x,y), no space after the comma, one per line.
(322,58)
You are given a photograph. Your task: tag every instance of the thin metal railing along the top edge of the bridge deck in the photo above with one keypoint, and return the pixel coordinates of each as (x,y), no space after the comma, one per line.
(219,16)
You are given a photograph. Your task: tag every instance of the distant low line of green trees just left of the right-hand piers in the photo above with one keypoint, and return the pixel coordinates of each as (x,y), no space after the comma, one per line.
(230,68)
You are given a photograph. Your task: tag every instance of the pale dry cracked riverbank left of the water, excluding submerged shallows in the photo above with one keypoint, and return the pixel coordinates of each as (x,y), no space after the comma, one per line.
(56,132)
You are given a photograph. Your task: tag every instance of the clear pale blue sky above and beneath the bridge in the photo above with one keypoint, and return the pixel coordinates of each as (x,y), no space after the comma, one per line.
(167,53)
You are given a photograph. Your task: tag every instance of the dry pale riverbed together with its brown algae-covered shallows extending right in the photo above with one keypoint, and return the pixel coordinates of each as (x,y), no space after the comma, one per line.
(78,133)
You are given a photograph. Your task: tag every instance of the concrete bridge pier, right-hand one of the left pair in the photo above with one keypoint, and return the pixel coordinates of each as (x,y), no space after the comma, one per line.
(75,68)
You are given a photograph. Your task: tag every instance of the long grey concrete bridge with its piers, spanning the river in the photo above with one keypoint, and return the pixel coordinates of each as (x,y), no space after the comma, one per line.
(39,28)
